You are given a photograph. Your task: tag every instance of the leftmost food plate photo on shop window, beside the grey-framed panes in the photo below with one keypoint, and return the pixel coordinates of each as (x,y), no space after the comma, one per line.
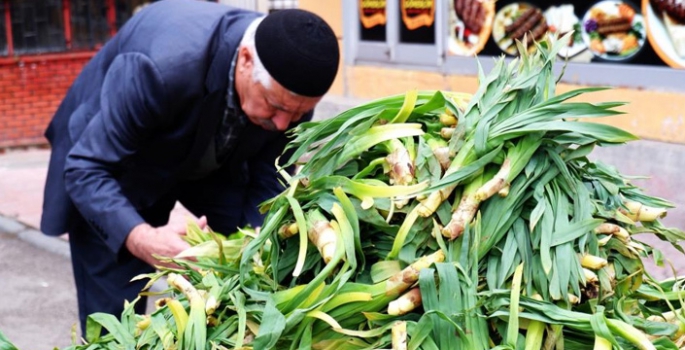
(470,25)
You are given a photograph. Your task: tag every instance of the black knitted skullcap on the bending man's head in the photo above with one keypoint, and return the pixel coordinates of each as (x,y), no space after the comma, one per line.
(299,50)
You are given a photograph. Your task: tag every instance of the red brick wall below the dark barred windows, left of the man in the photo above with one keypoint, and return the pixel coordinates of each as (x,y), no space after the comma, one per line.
(31,89)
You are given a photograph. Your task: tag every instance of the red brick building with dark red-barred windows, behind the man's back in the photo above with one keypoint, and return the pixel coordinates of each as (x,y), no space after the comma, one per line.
(44,44)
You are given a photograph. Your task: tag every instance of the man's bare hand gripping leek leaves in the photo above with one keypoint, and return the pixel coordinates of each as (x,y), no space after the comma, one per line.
(145,240)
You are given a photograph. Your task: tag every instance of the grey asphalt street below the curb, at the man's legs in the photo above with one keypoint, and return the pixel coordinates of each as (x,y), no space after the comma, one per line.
(38,299)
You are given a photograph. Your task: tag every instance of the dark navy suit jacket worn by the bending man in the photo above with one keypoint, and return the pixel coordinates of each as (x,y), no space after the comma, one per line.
(141,114)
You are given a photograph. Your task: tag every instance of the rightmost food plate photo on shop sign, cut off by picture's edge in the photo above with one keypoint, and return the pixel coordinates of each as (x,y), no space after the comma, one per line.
(665,22)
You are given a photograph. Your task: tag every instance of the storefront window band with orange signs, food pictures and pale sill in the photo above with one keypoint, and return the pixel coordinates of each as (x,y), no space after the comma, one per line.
(610,42)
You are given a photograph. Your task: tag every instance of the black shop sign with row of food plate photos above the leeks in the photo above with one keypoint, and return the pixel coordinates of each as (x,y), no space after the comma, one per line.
(650,32)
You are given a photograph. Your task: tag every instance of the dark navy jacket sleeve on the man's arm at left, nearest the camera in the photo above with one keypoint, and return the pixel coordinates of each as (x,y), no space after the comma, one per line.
(131,108)
